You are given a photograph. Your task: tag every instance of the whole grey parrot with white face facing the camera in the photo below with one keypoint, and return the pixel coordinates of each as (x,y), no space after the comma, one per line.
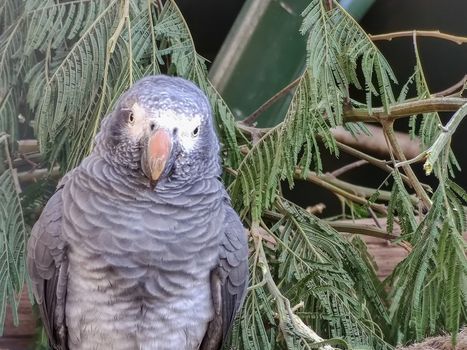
(139,247)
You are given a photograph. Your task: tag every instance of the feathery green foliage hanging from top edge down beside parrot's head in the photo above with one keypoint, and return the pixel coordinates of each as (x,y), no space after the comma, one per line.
(335,44)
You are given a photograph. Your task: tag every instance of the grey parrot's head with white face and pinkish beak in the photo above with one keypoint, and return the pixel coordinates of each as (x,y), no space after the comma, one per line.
(163,128)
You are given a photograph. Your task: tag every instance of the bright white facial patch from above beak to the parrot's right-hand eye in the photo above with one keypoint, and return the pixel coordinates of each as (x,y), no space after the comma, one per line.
(171,120)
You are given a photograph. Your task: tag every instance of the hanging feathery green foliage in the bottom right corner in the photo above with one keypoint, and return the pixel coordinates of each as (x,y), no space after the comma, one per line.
(430,283)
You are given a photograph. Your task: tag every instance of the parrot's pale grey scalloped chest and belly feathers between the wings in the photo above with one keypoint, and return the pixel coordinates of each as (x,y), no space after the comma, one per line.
(139,261)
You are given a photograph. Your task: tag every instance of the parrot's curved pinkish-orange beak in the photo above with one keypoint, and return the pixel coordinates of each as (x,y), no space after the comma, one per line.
(158,151)
